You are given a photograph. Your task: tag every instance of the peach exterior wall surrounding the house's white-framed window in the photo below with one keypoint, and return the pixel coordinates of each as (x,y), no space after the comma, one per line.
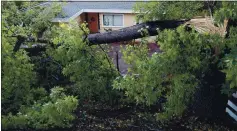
(129,20)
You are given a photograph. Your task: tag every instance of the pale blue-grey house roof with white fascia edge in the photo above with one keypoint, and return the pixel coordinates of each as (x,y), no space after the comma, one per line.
(71,10)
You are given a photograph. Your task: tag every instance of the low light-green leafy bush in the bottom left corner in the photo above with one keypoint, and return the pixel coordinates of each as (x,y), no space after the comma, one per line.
(56,112)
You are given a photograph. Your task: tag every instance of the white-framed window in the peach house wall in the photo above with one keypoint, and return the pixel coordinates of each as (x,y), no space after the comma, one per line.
(112,20)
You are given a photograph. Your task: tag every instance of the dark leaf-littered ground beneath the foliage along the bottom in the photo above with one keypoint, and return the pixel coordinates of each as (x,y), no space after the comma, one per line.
(132,118)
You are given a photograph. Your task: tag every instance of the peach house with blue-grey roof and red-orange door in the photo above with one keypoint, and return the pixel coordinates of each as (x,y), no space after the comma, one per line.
(100,16)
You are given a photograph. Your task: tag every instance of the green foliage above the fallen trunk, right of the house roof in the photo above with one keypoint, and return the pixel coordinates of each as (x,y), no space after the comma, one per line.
(167,10)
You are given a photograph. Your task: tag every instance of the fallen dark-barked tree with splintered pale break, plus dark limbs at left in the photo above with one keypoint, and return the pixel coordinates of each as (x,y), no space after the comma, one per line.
(134,32)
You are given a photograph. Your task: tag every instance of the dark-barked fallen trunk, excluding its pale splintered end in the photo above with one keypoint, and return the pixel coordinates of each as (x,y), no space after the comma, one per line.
(132,32)
